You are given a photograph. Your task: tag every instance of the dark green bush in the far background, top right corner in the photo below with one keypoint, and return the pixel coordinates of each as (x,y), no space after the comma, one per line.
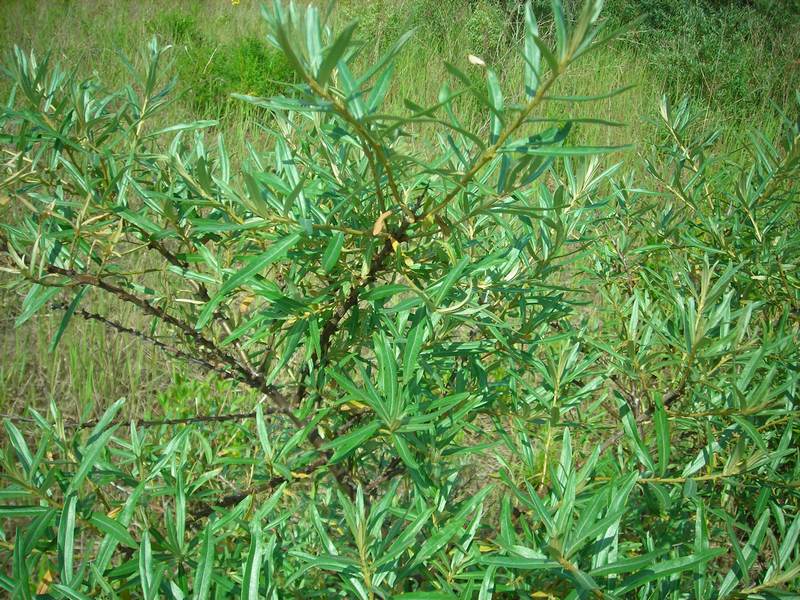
(736,55)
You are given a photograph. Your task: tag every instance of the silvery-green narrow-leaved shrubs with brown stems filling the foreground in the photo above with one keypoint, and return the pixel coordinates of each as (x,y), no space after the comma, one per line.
(478,363)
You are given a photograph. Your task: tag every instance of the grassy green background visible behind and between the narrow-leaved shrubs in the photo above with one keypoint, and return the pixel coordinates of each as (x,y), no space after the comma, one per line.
(217,49)
